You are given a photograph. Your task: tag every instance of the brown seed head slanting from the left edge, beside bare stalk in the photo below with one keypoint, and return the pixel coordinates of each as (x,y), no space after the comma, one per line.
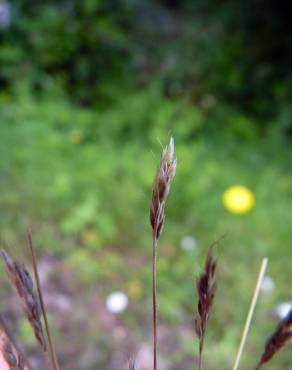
(22,282)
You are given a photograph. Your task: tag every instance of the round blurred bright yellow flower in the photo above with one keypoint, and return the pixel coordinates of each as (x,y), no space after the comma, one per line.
(238,199)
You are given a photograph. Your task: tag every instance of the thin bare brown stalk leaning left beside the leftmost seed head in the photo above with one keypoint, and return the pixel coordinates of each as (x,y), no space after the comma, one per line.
(54,361)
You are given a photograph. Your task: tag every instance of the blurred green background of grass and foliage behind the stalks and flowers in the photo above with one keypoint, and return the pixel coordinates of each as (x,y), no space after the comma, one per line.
(89,90)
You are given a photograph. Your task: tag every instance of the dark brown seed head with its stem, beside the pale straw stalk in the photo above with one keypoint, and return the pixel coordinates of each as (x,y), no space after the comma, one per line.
(206,288)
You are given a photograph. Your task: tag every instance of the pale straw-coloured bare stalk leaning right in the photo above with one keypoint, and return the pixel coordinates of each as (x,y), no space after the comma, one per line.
(251,312)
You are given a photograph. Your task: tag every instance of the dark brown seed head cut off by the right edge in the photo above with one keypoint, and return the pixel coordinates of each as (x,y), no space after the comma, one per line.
(281,336)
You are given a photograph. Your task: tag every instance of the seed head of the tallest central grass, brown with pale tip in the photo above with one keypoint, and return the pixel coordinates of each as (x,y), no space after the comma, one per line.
(161,186)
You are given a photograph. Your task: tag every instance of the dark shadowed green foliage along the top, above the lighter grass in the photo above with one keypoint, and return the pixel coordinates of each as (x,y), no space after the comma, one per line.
(92,47)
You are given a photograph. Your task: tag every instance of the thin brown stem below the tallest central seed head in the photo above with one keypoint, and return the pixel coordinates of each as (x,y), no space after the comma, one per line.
(154,298)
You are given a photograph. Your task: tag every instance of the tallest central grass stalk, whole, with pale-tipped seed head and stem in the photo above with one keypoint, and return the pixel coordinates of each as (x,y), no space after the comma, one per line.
(164,176)
